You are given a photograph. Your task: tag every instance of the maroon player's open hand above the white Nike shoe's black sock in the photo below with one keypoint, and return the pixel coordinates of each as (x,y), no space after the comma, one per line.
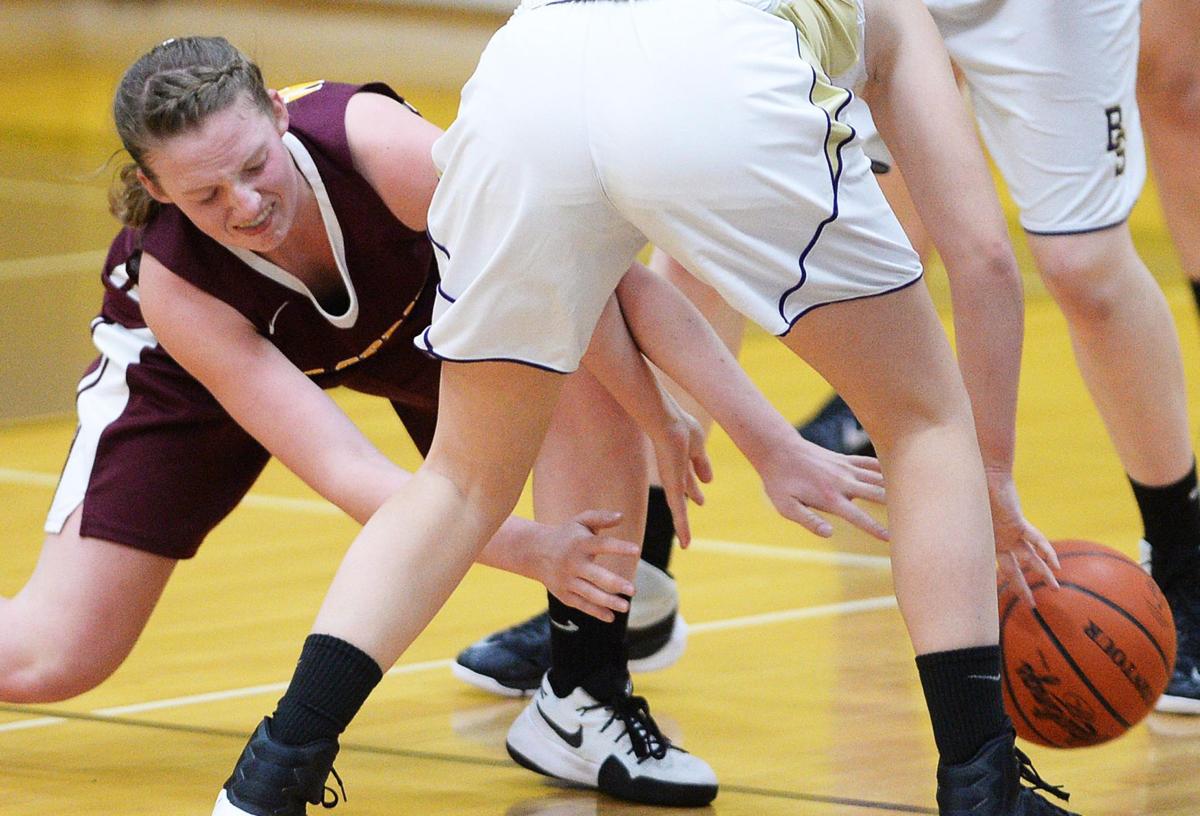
(569,569)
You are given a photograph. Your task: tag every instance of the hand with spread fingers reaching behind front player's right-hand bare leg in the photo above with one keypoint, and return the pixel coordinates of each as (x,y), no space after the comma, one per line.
(802,477)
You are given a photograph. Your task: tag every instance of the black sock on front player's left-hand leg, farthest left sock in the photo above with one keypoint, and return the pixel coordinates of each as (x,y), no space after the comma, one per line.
(332,682)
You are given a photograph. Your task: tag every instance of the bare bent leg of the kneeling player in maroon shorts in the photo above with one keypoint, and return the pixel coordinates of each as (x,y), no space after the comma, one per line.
(79,617)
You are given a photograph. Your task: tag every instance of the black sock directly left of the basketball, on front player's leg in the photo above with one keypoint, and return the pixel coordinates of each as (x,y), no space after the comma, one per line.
(963,693)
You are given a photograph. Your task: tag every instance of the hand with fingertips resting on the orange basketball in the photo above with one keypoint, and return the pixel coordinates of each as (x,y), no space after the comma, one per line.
(1021,547)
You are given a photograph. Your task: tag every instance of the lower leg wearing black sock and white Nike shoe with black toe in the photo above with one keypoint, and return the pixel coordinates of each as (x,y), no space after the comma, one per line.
(587,686)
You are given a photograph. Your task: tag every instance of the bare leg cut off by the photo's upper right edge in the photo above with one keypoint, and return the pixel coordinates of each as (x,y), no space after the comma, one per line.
(1169,98)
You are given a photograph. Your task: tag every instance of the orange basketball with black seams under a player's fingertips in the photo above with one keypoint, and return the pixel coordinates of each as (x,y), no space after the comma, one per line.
(1090,662)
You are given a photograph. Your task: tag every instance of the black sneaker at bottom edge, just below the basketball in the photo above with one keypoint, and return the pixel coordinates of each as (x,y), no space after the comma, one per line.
(991,784)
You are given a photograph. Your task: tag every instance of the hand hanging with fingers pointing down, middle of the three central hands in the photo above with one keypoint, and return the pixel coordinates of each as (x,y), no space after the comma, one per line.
(683,464)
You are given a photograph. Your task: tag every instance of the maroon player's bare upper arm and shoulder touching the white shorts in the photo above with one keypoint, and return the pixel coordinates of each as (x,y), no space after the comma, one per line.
(392,148)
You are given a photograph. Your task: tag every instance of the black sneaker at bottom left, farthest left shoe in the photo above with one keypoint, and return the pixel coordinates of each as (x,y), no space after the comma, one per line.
(273,779)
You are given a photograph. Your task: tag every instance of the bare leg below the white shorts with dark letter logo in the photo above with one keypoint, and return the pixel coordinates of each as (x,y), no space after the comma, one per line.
(1126,345)
